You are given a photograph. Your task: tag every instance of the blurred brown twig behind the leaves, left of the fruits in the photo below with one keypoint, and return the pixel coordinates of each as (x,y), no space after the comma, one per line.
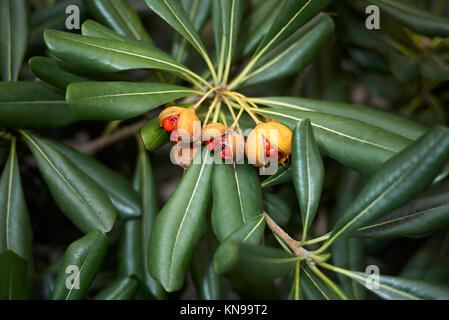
(121,134)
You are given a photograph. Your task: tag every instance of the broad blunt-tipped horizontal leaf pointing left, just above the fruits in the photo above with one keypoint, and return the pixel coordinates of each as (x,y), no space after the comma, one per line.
(120,100)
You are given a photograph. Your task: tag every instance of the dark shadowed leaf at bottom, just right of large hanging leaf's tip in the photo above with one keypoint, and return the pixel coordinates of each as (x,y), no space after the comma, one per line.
(207,282)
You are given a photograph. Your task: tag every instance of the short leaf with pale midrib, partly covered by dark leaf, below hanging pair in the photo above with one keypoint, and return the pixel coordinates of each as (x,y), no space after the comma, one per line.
(251,233)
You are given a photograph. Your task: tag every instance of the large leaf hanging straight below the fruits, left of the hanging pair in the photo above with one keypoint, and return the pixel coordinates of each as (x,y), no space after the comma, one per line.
(180,224)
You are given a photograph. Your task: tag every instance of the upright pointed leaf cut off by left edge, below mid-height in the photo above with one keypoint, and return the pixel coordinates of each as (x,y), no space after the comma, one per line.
(16,233)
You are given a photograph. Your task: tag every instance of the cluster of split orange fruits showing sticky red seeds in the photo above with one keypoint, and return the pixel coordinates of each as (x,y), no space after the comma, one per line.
(268,142)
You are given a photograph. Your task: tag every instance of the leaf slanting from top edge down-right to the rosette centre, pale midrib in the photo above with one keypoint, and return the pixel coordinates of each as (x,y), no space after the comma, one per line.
(173,13)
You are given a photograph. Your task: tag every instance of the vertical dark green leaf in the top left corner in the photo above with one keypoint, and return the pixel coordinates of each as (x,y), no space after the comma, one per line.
(14,32)
